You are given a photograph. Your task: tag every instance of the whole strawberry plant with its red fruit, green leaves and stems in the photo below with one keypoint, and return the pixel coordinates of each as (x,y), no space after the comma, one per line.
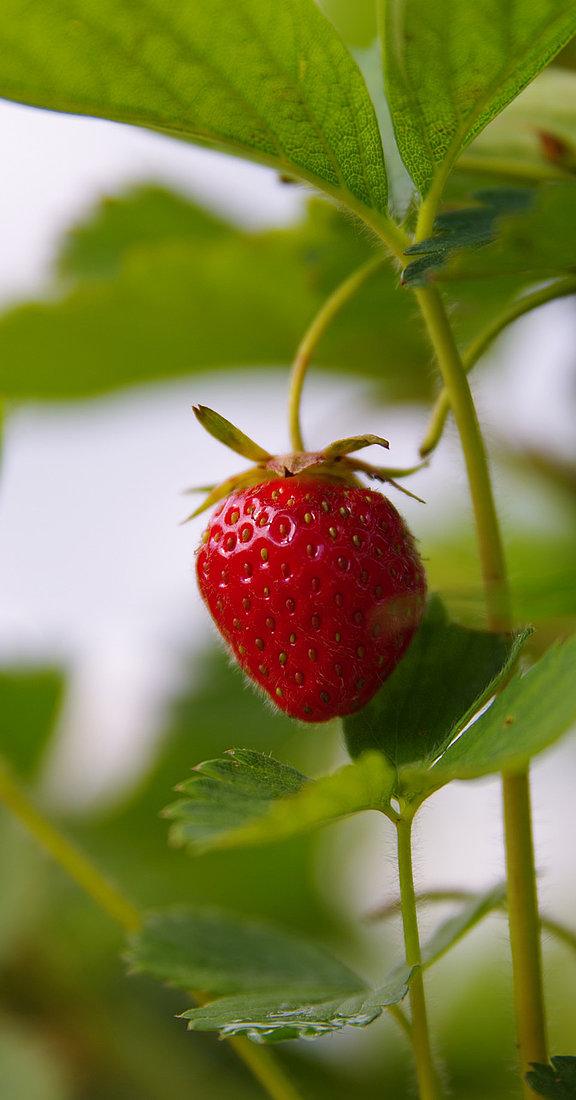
(448,157)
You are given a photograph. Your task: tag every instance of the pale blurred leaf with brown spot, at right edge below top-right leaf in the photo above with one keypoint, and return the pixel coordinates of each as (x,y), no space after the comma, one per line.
(535,137)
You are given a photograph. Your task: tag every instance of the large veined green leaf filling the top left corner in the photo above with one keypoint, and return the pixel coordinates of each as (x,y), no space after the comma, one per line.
(274,84)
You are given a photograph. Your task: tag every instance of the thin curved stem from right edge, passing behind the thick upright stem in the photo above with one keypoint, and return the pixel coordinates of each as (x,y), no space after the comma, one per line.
(525,305)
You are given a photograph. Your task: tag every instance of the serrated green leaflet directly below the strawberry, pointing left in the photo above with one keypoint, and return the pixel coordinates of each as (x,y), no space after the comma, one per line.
(248,799)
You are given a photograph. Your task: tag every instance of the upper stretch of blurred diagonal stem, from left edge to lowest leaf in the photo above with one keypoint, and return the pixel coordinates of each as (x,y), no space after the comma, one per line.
(70,859)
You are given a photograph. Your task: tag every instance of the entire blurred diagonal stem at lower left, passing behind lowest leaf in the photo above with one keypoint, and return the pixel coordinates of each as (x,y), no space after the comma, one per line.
(259,1060)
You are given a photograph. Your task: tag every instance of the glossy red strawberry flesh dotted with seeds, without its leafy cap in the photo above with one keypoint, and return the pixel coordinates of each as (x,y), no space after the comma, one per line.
(316,587)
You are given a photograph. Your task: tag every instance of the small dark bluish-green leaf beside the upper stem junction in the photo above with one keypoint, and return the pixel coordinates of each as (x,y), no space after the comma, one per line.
(468,229)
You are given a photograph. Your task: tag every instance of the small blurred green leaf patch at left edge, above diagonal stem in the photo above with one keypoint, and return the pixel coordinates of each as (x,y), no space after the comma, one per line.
(30,701)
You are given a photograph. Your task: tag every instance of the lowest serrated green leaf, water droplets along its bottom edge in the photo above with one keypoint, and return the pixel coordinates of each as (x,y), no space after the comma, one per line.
(270,983)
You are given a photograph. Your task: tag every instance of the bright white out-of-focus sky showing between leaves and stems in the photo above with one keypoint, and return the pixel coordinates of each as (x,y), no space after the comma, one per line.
(95,568)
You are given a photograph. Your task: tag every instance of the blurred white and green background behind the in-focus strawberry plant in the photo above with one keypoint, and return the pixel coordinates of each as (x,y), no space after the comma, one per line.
(140,277)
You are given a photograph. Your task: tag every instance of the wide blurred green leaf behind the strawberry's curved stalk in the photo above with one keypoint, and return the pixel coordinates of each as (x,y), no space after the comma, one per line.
(165,307)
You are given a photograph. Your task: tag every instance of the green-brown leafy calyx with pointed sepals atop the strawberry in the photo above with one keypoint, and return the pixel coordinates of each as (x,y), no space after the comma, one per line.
(336,464)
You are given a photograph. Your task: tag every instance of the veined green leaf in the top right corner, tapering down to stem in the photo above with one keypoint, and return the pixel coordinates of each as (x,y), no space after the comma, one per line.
(451,68)
